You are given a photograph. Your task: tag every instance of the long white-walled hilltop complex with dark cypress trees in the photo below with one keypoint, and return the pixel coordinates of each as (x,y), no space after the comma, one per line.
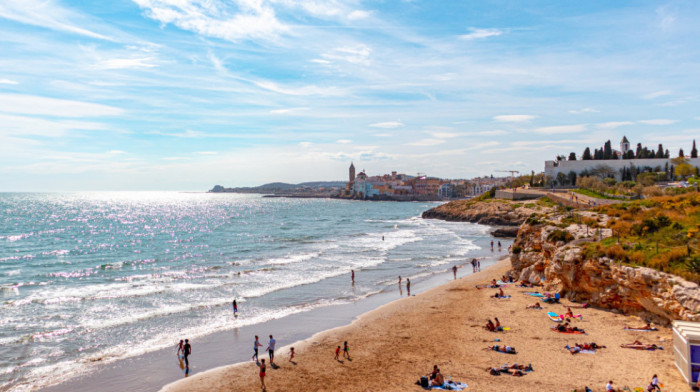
(622,164)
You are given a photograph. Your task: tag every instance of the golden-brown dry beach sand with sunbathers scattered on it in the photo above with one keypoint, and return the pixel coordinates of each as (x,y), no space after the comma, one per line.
(392,346)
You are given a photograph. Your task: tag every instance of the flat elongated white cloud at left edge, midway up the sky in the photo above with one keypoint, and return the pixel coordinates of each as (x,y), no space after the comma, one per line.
(33,104)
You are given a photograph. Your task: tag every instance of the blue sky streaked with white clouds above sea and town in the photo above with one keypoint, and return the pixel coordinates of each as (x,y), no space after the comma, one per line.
(187,94)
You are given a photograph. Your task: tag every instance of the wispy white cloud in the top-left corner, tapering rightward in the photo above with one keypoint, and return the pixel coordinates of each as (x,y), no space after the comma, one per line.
(48,15)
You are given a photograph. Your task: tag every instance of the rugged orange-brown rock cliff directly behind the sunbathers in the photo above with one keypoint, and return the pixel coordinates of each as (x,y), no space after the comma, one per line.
(551,251)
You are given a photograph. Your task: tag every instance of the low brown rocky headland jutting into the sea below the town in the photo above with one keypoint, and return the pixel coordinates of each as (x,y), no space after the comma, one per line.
(490,212)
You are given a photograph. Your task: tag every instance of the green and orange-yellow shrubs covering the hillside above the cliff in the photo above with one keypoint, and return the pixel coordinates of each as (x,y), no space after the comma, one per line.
(660,233)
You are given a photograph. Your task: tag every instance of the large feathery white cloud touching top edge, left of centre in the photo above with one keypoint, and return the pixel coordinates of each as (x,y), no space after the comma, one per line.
(242,19)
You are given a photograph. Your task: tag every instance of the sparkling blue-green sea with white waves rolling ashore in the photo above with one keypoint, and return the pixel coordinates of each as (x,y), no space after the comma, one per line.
(92,278)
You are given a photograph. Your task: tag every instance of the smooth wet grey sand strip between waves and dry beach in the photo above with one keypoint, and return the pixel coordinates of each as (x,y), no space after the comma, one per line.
(153,370)
